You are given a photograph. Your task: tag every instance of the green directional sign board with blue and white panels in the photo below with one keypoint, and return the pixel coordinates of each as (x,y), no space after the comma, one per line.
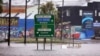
(44,26)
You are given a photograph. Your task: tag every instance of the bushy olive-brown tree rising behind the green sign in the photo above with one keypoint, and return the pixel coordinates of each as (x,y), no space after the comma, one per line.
(49,8)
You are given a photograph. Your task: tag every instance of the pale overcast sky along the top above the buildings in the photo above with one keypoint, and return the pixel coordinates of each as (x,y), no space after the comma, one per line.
(57,2)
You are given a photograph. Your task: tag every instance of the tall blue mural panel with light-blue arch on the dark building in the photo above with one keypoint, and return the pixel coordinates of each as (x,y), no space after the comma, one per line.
(87,26)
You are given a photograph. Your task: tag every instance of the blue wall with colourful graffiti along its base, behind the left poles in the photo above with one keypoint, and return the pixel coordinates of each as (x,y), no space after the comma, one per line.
(18,29)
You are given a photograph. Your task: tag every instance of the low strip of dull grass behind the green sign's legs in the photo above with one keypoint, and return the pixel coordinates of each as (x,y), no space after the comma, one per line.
(33,40)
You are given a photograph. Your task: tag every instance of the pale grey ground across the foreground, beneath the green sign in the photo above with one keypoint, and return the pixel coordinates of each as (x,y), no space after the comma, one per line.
(18,49)
